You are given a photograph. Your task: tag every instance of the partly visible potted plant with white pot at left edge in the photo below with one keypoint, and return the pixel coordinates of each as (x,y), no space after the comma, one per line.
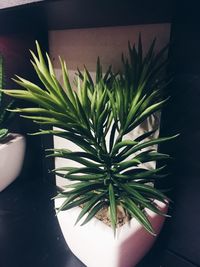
(12,146)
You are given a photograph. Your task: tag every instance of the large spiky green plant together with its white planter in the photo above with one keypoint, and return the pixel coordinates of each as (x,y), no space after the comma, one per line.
(112,181)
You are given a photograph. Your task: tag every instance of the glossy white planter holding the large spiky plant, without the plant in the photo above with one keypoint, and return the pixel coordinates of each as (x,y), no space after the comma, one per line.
(94,243)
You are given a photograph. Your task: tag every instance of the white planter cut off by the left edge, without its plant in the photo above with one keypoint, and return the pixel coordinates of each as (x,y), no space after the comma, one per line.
(11,159)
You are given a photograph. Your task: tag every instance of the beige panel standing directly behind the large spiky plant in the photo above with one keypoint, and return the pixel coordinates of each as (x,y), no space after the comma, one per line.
(82,46)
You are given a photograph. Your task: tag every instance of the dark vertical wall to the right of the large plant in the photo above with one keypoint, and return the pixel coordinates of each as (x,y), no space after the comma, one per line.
(182,116)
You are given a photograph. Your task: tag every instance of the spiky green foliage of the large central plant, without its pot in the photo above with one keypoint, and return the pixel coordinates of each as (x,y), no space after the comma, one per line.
(111,173)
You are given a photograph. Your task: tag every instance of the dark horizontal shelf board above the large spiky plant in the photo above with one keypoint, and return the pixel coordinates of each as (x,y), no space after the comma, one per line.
(64,14)
